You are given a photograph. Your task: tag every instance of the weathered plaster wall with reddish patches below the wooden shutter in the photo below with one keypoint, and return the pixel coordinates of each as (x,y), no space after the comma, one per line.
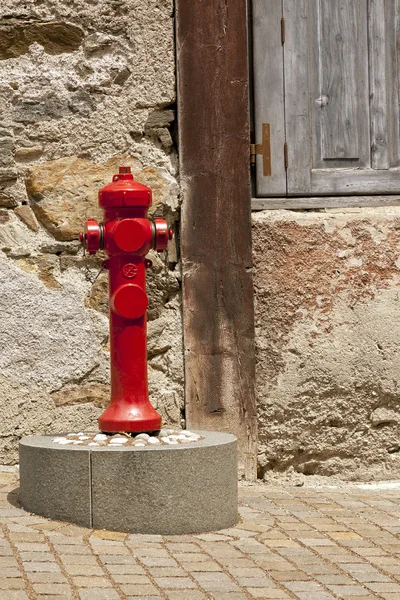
(327,288)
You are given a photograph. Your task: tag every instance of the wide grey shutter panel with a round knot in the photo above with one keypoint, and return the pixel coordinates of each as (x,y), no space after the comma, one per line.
(339,87)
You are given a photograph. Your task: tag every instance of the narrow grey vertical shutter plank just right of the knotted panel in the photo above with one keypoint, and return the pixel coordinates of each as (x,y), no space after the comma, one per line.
(378,84)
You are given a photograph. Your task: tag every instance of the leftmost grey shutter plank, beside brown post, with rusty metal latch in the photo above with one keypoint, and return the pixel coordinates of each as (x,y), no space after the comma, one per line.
(268,92)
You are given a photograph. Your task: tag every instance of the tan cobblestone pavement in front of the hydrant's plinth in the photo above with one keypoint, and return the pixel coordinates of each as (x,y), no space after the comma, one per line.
(292,542)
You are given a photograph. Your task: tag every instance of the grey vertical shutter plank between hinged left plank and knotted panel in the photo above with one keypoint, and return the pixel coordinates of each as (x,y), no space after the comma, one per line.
(297,110)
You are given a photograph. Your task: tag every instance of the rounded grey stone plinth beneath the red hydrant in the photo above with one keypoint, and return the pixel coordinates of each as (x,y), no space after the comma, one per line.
(188,488)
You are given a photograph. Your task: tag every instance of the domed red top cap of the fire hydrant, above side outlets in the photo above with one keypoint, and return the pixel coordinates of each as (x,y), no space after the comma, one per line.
(124,191)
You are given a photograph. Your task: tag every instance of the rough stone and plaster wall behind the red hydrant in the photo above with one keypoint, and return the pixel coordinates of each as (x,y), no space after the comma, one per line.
(84,86)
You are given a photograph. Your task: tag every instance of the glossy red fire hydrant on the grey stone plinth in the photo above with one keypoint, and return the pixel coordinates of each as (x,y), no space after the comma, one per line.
(127,235)
